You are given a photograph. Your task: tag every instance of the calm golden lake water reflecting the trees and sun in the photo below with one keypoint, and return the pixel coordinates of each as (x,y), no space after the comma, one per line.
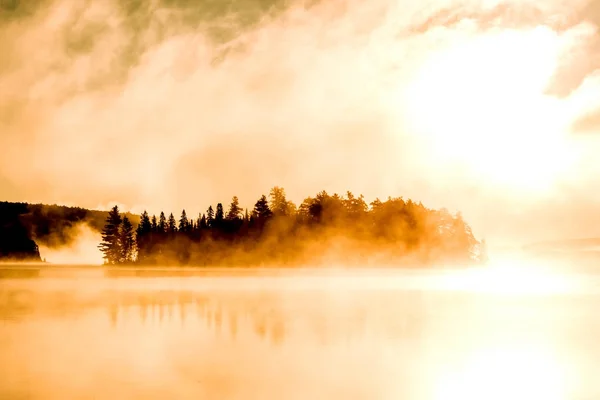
(75,334)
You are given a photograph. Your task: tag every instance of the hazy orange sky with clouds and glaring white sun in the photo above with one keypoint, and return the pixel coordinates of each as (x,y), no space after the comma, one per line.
(491,108)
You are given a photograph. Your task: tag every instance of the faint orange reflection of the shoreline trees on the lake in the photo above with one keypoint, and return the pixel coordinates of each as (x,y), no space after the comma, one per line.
(270,316)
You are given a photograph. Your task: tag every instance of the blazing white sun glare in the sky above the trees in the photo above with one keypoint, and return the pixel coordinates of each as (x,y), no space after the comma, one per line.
(481,104)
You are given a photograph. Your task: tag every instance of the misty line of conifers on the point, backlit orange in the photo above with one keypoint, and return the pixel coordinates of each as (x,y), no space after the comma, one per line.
(322,229)
